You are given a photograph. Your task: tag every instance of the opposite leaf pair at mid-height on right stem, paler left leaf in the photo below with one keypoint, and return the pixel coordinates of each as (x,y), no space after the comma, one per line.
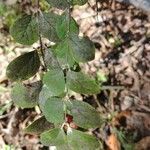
(76,81)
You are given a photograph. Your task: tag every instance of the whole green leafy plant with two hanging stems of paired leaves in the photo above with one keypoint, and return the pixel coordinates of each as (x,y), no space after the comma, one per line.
(63,118)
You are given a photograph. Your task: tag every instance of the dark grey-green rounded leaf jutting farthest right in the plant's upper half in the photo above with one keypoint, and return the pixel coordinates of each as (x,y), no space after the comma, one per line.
(82,49)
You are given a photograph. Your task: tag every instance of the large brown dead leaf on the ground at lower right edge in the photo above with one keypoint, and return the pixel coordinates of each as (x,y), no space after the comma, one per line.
(134,121)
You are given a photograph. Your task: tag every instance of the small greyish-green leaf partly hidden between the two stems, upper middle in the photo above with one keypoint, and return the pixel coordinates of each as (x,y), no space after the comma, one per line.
(51,60)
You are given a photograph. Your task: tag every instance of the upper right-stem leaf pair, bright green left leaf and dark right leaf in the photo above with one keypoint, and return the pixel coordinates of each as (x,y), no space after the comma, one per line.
(74,49)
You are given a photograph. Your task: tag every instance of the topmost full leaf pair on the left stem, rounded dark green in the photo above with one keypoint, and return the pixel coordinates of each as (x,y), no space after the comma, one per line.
(27,28)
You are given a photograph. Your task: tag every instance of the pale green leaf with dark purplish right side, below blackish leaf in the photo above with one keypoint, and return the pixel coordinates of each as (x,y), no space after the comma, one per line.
(26,97)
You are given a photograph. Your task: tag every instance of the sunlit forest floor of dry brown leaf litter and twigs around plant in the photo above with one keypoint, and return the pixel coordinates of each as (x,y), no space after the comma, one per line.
(121,34)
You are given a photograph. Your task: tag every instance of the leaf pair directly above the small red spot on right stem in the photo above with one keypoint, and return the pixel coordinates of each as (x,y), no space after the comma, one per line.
(84,115)
